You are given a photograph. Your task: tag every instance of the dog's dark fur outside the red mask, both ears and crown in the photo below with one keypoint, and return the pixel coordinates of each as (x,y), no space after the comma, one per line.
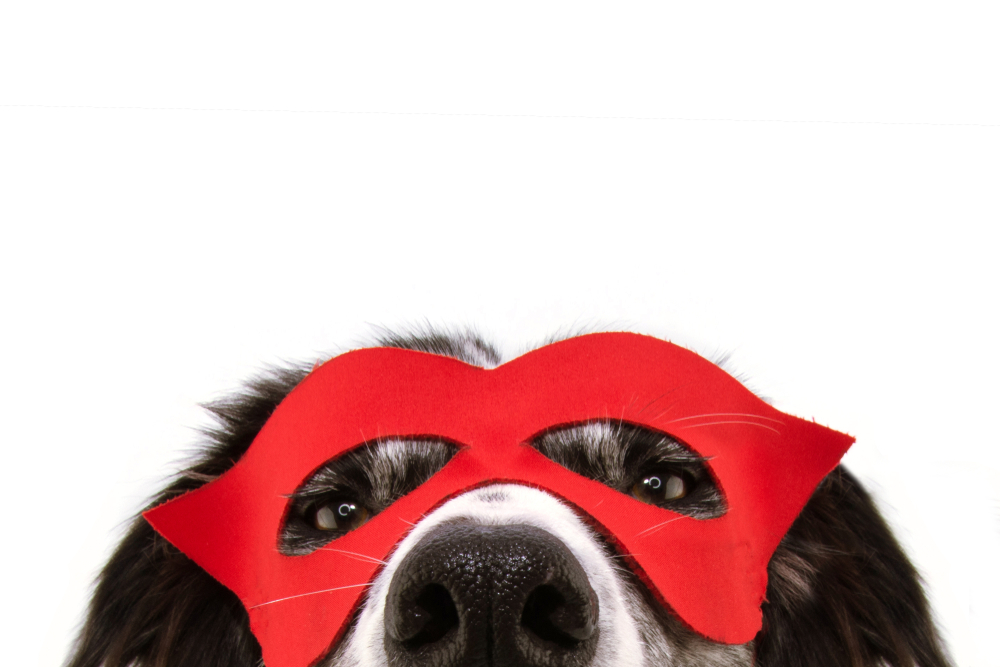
(841,591)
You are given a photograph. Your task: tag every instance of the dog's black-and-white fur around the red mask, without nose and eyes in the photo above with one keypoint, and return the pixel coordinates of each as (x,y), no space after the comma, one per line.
(841,591)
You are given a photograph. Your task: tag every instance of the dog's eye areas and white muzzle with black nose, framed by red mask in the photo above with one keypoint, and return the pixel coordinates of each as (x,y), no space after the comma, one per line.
(432,604)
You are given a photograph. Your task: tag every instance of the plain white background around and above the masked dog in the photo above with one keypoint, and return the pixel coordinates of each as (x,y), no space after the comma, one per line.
(191,190)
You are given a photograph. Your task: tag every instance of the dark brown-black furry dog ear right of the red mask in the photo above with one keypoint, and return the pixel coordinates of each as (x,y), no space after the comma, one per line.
(841,591)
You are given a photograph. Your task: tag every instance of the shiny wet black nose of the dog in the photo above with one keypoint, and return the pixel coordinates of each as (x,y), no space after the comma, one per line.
(470,596)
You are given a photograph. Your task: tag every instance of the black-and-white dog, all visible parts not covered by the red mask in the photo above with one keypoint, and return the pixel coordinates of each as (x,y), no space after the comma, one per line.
(840,590)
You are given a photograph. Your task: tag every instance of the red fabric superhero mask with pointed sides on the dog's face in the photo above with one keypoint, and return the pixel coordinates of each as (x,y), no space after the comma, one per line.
(711,573)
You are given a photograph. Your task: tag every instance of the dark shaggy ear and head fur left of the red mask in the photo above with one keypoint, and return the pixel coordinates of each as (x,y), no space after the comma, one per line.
(152,605)
